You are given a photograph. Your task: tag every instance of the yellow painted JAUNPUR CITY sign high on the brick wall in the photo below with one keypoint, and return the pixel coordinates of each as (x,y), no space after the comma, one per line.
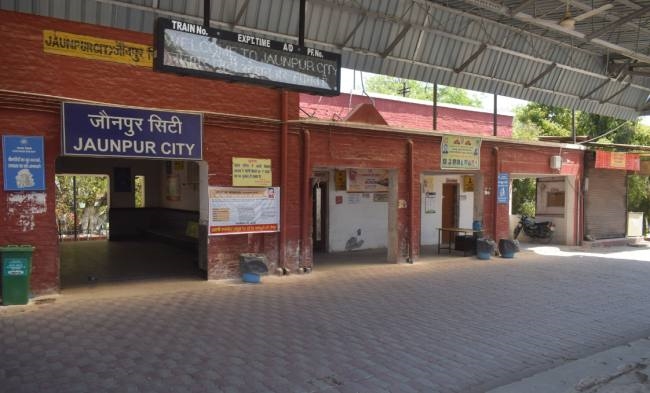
(87,47)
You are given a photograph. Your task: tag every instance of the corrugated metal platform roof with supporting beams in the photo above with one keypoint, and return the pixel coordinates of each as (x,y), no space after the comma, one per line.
(513,48)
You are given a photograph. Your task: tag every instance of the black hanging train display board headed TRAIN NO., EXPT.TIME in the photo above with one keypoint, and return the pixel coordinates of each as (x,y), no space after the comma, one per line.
(189,49)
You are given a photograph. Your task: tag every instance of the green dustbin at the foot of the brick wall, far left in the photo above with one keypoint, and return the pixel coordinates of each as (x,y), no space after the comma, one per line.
(16,271)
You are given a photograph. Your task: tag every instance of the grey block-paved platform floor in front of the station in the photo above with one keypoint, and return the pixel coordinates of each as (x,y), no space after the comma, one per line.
(444,325)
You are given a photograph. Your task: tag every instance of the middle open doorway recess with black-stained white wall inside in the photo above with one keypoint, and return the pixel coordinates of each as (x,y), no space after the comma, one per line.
(352,218)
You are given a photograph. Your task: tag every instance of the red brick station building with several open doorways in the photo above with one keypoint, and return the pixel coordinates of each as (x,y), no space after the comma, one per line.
(243,120)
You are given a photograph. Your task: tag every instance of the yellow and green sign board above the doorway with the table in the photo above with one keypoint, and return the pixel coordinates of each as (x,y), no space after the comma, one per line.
(460,152)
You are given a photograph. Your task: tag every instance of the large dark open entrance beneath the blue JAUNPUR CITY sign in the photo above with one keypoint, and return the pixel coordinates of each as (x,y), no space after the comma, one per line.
(127,220)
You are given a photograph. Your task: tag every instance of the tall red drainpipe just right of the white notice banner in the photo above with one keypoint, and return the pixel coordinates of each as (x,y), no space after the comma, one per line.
(284,178)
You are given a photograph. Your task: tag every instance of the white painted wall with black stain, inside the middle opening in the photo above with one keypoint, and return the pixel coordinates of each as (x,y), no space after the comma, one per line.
(357,211)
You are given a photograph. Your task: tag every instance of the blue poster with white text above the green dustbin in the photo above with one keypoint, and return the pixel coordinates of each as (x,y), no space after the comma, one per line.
(23,163)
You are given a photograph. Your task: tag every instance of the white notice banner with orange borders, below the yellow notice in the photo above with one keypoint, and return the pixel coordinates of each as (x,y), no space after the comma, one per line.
(244,210)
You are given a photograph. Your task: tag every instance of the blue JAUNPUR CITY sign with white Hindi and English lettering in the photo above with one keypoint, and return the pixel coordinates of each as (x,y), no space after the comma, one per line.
(111,131)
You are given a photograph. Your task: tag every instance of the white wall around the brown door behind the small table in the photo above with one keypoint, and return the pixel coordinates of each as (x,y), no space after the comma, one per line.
(430,222)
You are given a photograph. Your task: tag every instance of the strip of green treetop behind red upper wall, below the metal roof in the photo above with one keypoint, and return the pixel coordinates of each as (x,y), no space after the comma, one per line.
(420,90)
